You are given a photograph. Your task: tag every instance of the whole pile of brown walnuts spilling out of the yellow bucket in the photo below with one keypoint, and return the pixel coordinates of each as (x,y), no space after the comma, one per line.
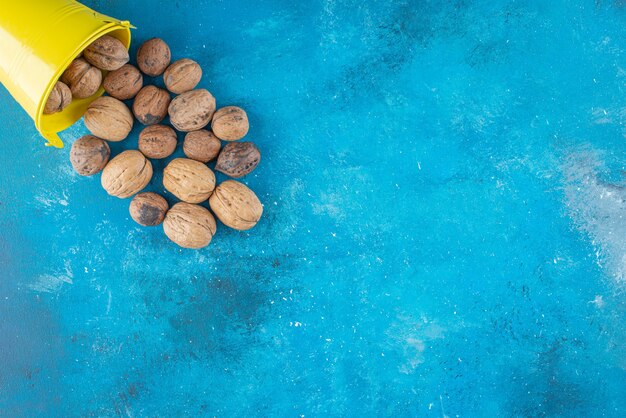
(189,179)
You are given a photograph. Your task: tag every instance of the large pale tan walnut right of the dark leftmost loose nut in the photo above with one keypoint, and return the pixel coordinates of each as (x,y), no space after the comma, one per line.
(126,174)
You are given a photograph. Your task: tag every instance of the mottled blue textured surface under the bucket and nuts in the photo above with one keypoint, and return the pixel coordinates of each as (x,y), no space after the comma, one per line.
(443,234)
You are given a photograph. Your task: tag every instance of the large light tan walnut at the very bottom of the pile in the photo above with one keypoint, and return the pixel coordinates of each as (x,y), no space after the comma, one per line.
(190,226)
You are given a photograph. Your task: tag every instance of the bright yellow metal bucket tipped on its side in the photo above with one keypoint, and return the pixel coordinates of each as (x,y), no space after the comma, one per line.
(38,41)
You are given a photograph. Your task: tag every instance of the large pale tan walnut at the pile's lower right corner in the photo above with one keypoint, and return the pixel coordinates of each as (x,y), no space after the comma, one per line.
(236,205)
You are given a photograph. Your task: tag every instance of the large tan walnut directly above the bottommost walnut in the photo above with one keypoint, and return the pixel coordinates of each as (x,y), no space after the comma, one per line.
(189,180)
